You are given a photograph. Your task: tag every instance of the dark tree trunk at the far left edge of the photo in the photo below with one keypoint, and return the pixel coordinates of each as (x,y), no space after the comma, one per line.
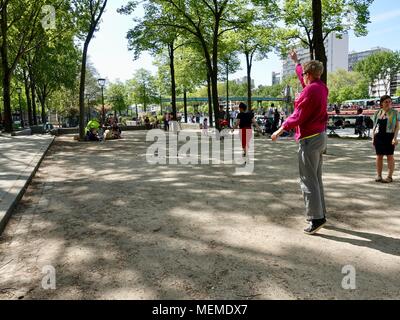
(6,71)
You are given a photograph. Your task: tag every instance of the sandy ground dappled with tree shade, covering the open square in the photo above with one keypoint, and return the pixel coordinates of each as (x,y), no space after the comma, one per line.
(115,227)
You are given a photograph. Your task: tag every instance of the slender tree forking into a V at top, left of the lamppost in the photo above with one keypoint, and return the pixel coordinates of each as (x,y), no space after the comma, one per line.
(88,13)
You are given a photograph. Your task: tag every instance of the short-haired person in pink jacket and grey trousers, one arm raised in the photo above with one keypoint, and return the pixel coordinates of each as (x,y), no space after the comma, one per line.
(309,119)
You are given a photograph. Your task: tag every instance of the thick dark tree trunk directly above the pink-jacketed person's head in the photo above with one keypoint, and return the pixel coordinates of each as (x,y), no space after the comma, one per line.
(318,37)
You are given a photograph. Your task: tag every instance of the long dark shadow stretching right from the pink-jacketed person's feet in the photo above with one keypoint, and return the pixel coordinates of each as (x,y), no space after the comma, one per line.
(374,241)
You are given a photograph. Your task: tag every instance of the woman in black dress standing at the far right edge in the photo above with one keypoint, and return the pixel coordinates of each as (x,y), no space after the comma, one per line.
(386,129)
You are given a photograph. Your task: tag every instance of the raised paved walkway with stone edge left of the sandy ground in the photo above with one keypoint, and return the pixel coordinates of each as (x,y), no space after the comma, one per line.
(19,159)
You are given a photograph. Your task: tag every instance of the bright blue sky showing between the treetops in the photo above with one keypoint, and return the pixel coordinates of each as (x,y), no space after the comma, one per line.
(108,50)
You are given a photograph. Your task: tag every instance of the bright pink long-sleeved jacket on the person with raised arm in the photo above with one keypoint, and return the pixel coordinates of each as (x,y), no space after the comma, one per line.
(310,114)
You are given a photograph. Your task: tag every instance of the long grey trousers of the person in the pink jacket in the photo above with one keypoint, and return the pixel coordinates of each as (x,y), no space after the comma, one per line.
(310,167)
